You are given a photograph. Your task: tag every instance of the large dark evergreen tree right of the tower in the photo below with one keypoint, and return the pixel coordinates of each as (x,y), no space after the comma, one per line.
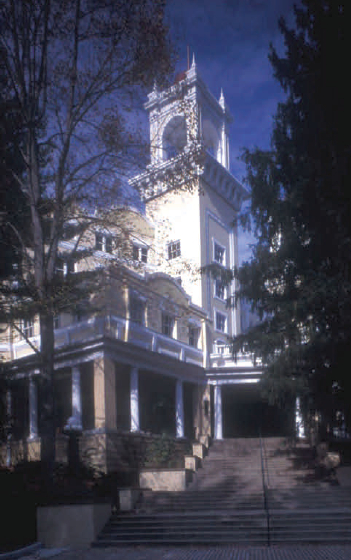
(299,278)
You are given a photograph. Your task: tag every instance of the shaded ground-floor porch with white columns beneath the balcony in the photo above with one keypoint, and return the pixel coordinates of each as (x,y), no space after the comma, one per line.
(114,388)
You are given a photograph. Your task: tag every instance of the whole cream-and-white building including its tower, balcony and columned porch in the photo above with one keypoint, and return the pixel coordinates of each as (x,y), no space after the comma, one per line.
(156,357)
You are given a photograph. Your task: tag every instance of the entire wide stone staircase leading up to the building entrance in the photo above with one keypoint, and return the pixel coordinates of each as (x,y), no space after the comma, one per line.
(226,504)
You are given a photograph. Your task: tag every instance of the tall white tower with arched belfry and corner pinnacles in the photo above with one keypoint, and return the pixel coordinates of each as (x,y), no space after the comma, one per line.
(191,195)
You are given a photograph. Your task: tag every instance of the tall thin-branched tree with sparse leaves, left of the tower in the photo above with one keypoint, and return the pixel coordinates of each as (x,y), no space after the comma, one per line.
(74,68)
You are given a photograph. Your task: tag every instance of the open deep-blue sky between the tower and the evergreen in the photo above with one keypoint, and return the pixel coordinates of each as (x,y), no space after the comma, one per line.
(230,39)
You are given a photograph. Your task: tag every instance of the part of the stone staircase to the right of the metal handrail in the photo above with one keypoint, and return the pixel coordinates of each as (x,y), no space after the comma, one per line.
(302,508)
